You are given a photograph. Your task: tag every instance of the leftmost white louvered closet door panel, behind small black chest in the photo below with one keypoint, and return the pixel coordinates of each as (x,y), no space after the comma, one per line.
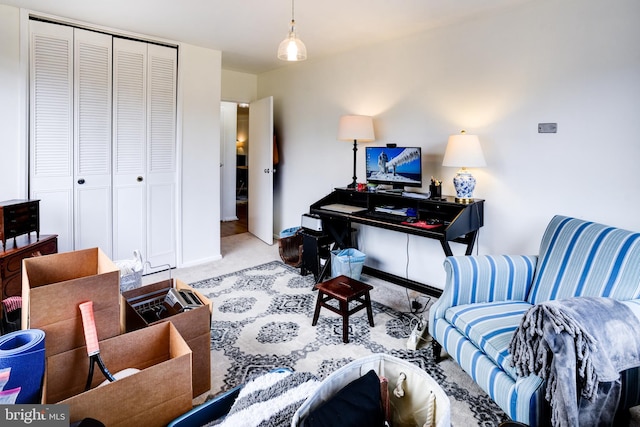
(51,128)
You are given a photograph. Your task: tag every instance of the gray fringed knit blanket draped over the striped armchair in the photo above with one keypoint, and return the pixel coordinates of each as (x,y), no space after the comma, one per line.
(579,346)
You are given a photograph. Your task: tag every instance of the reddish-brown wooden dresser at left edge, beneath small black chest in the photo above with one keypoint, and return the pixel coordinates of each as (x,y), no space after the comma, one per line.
(11,258)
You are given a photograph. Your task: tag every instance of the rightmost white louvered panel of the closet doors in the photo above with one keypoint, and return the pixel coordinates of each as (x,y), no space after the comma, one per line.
(161,159)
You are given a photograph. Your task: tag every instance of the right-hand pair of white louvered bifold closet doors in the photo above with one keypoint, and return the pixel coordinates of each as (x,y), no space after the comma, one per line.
(144,151)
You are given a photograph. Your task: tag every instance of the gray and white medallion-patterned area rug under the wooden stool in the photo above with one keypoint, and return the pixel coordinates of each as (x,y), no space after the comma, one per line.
(262,320)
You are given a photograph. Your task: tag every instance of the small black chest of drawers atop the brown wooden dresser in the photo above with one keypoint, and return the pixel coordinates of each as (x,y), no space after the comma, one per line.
(19,217)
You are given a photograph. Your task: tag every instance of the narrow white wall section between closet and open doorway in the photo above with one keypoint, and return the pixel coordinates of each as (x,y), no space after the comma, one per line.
(200,89)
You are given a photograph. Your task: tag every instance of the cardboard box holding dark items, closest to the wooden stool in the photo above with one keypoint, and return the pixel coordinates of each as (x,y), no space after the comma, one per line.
(194,326)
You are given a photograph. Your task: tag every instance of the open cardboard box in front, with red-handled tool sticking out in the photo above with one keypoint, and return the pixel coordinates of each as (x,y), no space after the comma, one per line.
(159,393)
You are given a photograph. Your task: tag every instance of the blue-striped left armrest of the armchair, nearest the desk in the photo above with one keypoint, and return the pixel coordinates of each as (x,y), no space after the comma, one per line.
(484,278)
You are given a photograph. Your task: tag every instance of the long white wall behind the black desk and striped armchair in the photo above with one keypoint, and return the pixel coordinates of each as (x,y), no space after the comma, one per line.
(574,62)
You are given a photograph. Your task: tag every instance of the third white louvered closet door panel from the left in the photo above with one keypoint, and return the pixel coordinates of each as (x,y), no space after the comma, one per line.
(129,147)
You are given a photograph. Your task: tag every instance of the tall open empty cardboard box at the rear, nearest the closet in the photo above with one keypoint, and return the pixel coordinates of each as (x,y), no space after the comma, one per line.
(54,285)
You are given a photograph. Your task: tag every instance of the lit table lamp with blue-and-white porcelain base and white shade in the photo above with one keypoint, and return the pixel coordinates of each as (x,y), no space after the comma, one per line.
(464,151)
